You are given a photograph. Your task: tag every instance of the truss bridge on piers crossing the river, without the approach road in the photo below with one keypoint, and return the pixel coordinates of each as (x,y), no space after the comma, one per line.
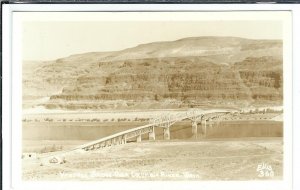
(207,121)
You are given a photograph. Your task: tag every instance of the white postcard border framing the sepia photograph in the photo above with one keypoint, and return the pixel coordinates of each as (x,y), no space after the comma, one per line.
(9,86)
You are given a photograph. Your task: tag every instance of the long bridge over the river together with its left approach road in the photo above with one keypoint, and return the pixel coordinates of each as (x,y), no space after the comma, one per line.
(164,121)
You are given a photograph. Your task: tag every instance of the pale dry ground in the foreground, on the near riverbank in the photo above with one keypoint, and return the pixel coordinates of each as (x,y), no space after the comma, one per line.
(230,159)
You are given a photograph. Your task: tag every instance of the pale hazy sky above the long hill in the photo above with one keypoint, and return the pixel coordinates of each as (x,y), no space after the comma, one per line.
(52,40)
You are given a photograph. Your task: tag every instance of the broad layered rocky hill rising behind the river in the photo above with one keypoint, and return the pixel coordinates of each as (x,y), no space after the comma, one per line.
(191,72)
